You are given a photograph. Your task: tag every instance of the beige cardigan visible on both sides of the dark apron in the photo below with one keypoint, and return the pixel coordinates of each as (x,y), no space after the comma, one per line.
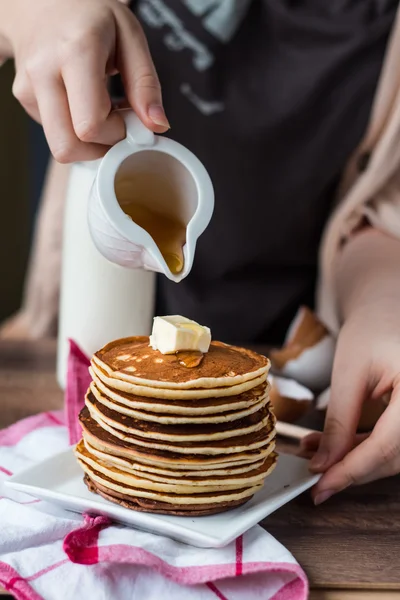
(370,188)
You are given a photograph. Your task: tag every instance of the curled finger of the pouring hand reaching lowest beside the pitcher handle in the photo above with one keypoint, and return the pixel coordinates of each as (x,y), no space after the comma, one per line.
(57,124)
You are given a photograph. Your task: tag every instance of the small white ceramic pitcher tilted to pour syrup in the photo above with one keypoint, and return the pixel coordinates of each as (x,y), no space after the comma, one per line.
(179,173)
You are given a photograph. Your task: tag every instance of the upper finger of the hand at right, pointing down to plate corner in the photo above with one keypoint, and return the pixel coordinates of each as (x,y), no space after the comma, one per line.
(348,390)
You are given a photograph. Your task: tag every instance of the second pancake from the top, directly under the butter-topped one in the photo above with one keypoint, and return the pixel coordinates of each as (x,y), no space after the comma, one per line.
(148,391)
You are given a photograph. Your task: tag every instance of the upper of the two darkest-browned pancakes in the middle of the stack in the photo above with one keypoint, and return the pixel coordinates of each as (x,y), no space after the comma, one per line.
(177,433)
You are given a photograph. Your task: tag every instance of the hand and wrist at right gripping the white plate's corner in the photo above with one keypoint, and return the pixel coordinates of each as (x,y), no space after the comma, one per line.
(367,364)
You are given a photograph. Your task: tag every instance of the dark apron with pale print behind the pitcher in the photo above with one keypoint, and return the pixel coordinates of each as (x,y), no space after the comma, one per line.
(272,97)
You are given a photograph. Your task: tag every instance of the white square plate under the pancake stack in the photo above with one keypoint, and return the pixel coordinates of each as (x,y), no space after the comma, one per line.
(60,480)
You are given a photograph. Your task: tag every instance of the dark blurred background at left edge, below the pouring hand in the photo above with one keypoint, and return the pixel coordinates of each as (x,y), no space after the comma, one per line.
(23,160)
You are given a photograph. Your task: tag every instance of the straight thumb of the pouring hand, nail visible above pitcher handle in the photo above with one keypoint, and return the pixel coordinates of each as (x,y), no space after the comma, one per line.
(138,74)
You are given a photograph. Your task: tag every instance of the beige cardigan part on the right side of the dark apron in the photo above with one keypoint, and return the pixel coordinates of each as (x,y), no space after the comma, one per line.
(370,186)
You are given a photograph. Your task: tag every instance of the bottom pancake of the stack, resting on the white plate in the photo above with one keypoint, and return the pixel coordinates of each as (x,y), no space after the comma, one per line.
(161,508)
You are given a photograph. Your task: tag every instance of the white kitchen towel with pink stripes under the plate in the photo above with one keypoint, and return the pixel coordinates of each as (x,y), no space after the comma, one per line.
(51,554)
